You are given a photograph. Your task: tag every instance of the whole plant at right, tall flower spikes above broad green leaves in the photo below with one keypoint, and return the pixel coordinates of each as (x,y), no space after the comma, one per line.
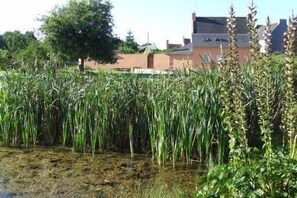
(270,101)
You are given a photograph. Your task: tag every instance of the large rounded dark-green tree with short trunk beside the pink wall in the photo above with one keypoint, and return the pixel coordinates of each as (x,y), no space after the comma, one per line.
(81,30)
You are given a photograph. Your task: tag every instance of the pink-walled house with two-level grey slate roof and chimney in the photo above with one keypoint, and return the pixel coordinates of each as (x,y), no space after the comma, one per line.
(210,39)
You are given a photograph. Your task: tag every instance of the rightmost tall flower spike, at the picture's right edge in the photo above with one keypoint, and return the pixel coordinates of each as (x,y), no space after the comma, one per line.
(289,103)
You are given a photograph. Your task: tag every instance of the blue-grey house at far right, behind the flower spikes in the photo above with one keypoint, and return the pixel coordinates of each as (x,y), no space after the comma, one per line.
(277,36)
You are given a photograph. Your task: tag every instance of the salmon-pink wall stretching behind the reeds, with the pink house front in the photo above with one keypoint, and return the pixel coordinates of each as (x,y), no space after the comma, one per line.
(165,61)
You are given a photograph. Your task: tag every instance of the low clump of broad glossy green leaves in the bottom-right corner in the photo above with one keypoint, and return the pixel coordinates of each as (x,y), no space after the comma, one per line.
(253,177)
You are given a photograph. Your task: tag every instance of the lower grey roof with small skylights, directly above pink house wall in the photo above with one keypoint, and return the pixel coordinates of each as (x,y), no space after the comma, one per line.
(216,40)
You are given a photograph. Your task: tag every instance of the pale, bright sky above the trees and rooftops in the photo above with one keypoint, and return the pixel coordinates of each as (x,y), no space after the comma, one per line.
(149,20)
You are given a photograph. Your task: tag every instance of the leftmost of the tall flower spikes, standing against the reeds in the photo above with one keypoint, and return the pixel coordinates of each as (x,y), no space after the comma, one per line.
(231,93)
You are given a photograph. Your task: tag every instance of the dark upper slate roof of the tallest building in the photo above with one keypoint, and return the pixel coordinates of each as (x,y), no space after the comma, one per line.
(218,25)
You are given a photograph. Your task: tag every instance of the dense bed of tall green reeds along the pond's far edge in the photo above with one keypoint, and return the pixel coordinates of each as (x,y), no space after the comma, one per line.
(173,117)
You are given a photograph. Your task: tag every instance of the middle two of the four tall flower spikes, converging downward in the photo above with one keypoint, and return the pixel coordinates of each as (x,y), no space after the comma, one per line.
(263,85)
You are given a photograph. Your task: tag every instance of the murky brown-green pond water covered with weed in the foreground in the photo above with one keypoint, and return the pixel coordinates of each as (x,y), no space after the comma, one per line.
(60,172)
